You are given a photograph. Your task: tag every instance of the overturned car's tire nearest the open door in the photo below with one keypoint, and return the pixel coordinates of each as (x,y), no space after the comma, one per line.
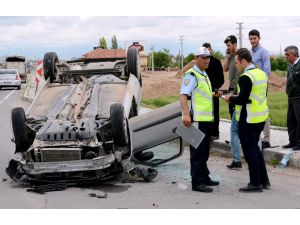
(119,125)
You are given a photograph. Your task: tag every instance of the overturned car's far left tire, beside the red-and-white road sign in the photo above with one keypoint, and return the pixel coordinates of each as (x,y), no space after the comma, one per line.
(49,66)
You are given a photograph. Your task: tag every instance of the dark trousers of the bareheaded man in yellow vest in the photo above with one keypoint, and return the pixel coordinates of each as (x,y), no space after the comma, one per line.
(249,136)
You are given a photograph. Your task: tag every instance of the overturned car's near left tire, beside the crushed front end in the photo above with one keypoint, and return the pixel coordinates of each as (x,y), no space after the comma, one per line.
(18,120)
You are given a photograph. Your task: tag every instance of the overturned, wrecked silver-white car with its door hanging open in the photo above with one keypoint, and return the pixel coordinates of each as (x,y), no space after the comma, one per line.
(84,124)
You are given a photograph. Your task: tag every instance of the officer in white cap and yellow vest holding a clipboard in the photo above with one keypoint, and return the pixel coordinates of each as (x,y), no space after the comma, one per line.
(195,83)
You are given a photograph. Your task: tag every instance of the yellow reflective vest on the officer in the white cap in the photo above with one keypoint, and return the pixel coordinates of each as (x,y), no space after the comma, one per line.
(202,101)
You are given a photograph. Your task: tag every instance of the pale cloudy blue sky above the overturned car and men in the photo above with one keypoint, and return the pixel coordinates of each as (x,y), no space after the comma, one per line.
(73,36)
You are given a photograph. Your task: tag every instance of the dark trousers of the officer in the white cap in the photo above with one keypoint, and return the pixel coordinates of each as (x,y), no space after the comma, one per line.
(199,156)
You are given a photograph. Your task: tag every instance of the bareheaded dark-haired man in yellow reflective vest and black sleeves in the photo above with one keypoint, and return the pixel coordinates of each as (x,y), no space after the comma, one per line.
(251,113)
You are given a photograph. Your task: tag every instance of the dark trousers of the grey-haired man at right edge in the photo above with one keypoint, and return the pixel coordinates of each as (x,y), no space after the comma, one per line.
(293,121)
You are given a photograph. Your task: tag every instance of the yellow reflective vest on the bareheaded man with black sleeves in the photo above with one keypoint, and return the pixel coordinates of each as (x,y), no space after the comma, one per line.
(257,110)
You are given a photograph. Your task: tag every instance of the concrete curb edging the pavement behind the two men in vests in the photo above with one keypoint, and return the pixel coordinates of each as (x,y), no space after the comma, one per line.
(269,153)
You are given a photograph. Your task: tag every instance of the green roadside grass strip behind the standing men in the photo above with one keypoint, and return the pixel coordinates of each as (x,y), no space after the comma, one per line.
(277,102)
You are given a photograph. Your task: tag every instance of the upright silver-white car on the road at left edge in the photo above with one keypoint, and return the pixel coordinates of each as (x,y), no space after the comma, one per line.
(10,78)
